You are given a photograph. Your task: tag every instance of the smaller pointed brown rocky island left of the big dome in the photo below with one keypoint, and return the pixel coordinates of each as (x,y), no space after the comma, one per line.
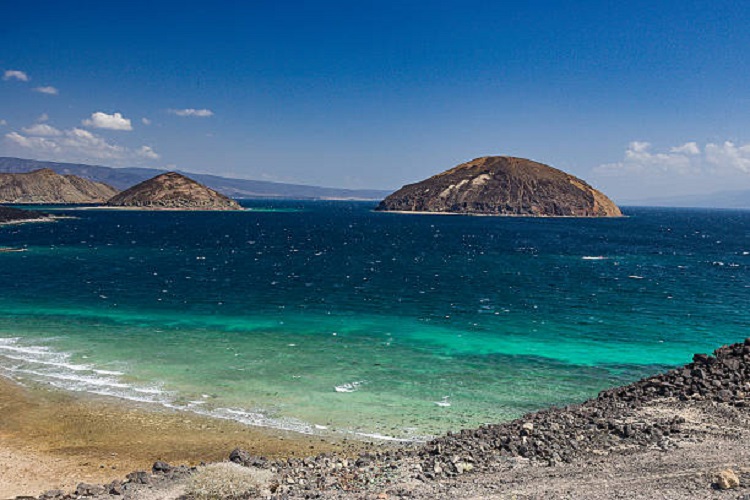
(172,191)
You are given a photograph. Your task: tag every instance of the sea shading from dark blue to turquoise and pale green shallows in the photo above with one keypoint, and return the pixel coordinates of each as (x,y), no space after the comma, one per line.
(330,318)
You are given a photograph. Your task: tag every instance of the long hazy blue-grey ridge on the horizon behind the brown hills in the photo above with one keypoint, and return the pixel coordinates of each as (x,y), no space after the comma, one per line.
(123,178)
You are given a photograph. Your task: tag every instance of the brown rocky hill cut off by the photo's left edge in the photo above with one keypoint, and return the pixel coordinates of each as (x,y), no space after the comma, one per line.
(46,186)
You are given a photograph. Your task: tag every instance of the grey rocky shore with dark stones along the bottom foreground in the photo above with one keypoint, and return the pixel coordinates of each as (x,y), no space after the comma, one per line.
(680,434)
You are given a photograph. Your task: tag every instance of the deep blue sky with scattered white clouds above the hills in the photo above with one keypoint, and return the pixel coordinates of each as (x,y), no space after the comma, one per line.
(641,99)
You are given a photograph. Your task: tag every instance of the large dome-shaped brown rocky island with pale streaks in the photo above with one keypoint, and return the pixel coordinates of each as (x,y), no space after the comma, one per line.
(502,185)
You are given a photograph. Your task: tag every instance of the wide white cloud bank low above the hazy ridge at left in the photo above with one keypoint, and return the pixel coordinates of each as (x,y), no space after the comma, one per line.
(76,144)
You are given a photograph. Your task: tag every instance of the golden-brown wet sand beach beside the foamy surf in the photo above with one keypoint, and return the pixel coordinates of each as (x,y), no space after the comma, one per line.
(50,439)
